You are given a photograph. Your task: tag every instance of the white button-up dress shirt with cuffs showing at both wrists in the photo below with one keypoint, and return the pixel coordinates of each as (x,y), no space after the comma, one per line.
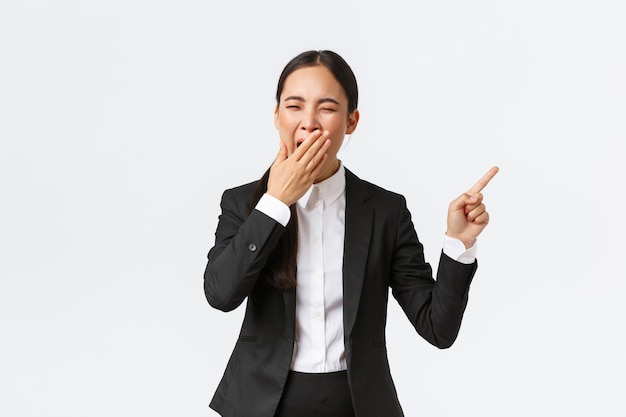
(321,210)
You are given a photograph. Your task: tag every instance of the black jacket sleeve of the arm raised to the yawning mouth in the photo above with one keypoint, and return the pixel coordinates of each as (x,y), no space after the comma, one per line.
(242,247)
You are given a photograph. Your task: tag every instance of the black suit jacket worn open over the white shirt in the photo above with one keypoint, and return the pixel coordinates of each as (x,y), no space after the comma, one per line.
(381,251)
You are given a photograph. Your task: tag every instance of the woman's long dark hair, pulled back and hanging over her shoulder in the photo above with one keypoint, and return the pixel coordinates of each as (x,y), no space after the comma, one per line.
(280,270)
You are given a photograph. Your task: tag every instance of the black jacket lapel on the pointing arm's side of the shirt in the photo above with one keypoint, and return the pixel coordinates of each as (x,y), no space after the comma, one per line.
(359,217)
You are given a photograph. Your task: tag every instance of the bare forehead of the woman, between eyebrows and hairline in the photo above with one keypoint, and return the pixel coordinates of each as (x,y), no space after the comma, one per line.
(313,82)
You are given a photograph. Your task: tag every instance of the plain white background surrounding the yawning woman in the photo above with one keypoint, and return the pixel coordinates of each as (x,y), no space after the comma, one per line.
(122,121)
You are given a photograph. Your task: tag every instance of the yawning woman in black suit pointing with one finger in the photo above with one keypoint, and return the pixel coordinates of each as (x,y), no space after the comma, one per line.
(314,249)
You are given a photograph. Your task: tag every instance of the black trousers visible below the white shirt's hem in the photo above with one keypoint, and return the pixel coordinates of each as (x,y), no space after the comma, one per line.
(316,395)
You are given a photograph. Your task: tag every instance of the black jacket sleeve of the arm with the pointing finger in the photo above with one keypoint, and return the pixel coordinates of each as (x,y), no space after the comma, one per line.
(434,307)
